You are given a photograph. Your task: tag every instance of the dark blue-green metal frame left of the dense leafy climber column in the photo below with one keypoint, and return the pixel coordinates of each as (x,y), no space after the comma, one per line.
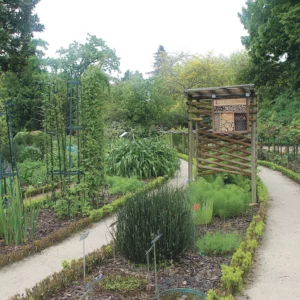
(63,130)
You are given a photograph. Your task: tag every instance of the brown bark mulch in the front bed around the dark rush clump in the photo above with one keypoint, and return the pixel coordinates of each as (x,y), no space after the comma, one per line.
(190,271)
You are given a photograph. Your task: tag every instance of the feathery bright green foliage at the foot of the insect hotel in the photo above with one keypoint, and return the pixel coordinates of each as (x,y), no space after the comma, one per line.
(228,200)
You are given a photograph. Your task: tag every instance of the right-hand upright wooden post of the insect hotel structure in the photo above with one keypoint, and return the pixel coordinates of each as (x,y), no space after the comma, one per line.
(253,153)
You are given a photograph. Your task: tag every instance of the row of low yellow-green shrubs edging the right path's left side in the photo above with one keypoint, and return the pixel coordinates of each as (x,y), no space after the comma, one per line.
(233,275)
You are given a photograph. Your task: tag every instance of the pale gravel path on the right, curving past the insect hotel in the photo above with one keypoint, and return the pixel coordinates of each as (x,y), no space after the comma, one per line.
(276,270)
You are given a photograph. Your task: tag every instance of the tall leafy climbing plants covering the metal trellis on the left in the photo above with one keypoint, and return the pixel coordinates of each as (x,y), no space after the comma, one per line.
(75,141)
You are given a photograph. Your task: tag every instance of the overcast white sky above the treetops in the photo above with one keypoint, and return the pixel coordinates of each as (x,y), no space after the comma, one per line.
(135,28)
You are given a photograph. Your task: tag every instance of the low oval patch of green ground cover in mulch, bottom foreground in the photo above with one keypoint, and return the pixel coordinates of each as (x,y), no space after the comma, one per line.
(122,283)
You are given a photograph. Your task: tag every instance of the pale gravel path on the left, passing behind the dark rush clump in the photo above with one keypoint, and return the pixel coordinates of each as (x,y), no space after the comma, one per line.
(17,277)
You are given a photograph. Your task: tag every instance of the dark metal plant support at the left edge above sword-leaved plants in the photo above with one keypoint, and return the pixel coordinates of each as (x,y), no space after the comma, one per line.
(8,168)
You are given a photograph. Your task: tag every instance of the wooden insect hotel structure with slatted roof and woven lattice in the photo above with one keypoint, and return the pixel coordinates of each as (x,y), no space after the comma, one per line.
(225,120)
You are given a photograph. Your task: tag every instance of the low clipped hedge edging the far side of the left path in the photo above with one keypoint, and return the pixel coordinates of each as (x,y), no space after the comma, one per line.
(63,233)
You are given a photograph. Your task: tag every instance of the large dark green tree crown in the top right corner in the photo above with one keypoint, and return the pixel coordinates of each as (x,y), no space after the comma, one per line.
(273,41)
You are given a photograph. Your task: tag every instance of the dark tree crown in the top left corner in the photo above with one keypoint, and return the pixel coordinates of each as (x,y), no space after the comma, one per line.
(17,26)
